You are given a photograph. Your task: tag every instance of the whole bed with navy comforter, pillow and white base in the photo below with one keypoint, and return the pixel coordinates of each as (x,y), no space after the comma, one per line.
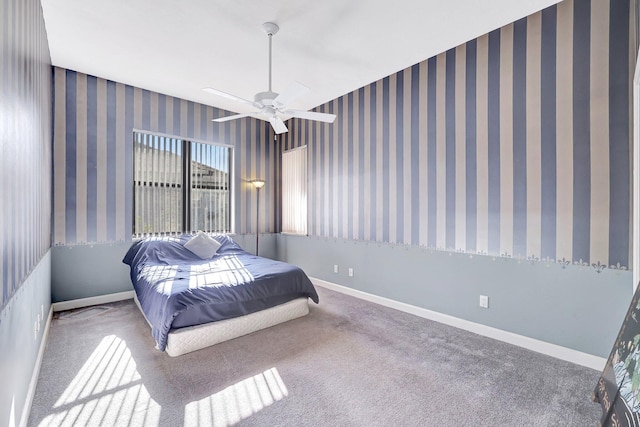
(197,291)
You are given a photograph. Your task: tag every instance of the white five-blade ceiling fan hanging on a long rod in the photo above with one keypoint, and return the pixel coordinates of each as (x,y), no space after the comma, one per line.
(270,105)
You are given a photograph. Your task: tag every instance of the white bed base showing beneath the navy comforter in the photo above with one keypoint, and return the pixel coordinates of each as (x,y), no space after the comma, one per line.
(191,338)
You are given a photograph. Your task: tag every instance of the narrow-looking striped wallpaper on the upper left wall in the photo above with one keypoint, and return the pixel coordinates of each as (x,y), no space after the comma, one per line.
(25,139)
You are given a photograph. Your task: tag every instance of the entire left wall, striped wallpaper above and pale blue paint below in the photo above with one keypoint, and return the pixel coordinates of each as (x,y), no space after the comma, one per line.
(25,197)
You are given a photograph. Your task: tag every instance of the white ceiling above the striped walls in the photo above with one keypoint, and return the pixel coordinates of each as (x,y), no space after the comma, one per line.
(332,46)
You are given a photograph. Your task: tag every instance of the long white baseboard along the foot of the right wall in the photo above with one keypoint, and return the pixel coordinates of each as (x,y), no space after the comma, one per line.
(559,352)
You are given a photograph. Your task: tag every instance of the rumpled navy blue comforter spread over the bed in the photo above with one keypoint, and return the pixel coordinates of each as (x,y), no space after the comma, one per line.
(176,288)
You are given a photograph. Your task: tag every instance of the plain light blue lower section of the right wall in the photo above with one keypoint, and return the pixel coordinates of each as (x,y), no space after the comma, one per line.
(570,306)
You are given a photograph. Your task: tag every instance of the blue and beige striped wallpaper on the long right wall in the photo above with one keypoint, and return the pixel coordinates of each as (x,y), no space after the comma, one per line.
(517,143)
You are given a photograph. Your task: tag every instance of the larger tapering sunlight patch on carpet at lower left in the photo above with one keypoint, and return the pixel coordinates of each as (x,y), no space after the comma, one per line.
(107,390)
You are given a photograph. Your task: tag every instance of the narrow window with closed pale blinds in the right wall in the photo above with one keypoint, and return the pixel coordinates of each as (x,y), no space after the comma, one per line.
(294,191)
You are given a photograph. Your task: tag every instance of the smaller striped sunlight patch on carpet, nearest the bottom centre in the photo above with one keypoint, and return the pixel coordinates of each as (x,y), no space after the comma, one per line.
(236,402)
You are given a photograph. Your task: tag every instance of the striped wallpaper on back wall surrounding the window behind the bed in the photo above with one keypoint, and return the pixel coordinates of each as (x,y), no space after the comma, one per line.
(94,121)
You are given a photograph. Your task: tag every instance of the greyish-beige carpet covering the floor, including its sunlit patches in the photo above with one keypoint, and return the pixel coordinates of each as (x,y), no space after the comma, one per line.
(349,363)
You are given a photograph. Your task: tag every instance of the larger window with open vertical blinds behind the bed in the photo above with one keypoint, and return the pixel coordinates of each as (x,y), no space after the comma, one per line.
(180,186)
